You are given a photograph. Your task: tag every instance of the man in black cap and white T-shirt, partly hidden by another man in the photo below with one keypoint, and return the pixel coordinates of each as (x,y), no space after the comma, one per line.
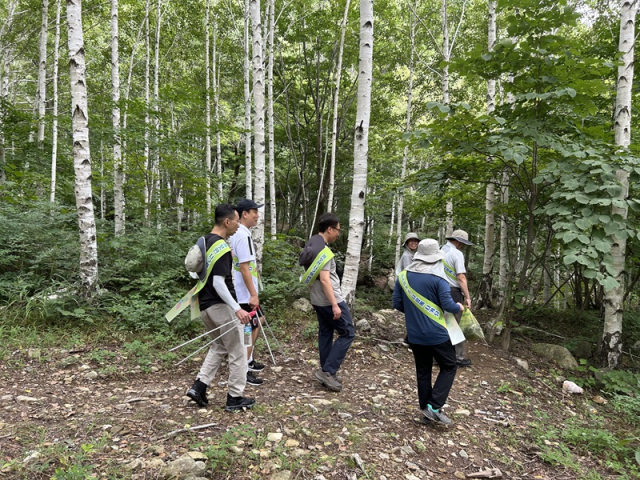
(246,277)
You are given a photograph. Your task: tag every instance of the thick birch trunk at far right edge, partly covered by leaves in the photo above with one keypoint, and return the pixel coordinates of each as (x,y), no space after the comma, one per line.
(613,299)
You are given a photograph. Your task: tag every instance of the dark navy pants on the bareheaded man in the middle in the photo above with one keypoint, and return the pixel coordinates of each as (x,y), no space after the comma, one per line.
(332,353)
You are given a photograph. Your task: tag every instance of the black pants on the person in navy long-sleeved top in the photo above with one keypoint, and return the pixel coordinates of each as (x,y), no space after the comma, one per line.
(445,355)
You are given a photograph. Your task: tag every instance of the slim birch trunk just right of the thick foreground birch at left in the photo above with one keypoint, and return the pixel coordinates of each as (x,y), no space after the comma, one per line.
(118,169)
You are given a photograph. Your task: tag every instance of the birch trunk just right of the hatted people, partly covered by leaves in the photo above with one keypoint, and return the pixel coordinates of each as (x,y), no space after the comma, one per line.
(485,295)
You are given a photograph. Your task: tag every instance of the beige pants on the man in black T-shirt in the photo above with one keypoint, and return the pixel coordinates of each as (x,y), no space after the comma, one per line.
(230,343)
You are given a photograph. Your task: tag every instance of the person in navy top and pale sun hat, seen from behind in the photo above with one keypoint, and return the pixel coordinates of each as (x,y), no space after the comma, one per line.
(422,293)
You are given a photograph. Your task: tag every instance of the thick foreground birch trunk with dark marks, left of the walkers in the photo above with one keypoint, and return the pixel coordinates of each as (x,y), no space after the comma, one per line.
(81,152)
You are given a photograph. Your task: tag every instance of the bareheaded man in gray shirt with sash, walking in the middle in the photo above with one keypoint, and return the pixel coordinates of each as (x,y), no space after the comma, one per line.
(327,300)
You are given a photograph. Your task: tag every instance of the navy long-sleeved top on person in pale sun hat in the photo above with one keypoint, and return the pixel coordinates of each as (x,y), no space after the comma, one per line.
(421,330)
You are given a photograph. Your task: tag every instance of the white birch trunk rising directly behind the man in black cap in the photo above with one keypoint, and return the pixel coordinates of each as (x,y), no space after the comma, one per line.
(258,124)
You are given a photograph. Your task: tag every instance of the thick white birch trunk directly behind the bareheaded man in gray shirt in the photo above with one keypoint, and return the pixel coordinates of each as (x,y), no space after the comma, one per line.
(360,153)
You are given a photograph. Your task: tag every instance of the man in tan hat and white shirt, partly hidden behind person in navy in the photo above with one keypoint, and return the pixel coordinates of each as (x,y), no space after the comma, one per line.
(456,275)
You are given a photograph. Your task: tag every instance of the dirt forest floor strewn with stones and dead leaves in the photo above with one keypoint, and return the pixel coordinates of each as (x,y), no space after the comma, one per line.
(111,410)
